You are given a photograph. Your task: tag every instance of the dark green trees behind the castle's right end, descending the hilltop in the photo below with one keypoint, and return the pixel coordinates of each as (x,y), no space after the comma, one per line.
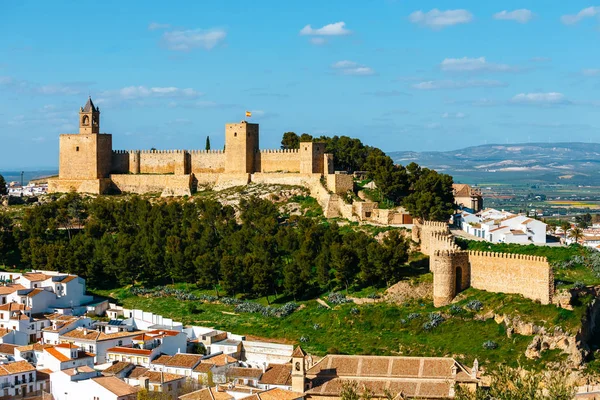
(424,192)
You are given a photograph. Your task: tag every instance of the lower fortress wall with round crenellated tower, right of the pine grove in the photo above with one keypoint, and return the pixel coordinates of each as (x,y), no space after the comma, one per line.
(455,270)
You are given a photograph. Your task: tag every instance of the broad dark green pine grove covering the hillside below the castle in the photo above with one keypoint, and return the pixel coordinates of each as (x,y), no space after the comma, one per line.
(111,241)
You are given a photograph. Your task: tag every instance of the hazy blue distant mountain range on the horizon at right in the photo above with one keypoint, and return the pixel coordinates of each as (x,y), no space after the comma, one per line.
(526,163)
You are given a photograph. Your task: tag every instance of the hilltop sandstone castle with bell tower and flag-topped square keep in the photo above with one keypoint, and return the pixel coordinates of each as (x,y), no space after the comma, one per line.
(89,164)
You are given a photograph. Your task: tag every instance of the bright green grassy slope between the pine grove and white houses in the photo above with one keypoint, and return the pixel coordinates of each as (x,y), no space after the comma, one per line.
(380,328)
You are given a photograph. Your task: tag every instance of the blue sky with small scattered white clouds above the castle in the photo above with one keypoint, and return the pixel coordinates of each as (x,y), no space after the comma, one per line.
(400,75)
